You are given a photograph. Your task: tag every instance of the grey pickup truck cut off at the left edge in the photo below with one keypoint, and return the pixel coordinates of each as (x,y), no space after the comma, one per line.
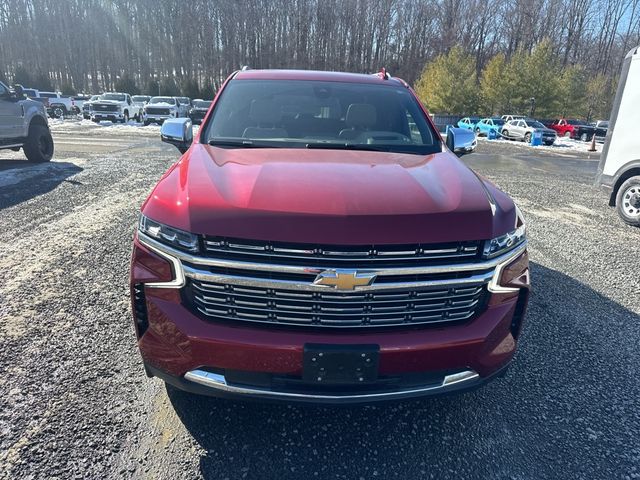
(23,124)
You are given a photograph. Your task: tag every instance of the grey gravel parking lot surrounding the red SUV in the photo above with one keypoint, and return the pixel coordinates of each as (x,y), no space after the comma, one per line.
(75,403)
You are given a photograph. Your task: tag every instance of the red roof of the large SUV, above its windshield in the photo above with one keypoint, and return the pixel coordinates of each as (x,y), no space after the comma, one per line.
(318,76)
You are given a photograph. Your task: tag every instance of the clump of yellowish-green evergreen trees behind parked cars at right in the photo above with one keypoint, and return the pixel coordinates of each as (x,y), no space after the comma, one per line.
(533,83)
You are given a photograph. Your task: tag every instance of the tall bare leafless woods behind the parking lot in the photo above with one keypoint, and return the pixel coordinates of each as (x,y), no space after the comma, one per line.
(173,46)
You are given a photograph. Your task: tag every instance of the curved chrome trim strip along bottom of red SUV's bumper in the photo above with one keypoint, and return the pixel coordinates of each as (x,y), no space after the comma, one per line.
(218,382)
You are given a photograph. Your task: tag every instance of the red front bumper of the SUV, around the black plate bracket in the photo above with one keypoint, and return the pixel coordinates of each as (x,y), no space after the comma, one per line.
(245,360)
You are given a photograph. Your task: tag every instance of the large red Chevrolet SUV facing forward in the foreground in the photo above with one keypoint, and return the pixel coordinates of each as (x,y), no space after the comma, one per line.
(318,242)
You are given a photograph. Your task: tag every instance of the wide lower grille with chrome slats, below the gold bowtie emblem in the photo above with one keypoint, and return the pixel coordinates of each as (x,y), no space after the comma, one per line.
(219,301)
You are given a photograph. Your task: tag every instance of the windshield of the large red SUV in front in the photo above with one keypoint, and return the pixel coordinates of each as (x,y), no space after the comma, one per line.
(315,114)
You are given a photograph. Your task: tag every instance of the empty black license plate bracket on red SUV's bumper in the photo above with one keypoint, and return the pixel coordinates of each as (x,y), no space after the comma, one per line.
(340,364)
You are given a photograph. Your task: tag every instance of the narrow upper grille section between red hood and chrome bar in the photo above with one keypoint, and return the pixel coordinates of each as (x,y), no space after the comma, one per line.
(337,257)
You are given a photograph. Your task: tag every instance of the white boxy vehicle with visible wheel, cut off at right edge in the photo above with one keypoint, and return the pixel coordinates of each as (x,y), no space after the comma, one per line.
(619,169)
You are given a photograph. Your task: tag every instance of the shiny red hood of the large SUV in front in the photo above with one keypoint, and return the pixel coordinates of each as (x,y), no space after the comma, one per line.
(329,196)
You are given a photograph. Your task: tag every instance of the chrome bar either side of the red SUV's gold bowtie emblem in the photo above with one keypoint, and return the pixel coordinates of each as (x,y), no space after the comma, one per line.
(309,270)
